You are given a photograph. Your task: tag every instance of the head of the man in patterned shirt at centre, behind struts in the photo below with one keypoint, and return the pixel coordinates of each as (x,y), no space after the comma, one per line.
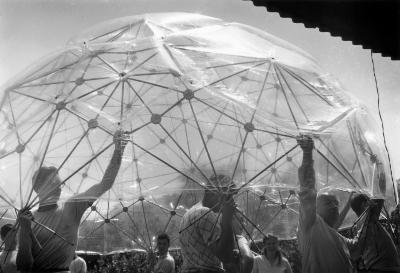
(217,185)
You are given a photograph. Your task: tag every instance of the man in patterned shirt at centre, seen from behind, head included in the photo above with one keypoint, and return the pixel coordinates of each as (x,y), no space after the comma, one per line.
(206,233)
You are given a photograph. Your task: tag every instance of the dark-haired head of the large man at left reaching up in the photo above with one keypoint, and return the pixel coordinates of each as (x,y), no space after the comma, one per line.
(46,183)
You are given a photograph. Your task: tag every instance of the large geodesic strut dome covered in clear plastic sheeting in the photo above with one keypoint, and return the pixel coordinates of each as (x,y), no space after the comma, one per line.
(197,97)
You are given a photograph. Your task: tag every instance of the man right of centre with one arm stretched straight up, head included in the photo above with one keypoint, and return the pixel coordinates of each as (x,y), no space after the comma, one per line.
(321,246)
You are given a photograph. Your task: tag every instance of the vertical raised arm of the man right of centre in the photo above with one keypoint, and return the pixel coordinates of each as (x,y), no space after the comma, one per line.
(307,194)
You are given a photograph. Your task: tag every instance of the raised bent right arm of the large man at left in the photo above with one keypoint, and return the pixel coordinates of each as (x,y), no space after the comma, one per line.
(94,192)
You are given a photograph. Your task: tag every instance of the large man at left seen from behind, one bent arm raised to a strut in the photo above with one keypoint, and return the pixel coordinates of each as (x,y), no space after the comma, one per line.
(55,227)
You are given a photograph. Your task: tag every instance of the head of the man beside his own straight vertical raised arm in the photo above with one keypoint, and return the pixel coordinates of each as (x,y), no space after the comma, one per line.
(328,208)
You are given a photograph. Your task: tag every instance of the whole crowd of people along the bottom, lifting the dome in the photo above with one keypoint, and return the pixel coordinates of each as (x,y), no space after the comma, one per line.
(212,237)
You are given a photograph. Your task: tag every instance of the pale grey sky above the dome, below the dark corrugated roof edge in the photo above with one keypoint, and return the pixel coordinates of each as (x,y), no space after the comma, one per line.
(31,29)
